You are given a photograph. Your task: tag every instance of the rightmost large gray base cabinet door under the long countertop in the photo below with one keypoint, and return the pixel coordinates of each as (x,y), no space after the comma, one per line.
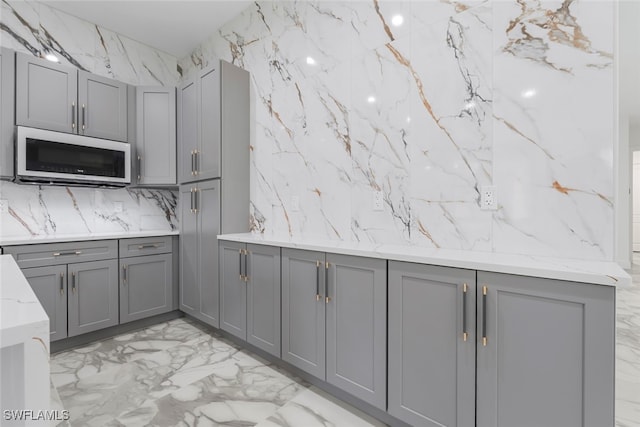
(549,353)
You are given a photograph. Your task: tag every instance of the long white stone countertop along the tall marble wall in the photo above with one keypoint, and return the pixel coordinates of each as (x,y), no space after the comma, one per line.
(573,270)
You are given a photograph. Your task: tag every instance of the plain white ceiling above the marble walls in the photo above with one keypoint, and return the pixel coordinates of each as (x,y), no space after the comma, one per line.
(175,27)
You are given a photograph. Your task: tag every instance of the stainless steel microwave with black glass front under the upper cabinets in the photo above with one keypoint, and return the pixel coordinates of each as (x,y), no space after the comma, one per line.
(45,156)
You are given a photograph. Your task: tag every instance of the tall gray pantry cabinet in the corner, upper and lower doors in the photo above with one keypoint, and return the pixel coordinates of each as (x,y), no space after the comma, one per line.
(213,170)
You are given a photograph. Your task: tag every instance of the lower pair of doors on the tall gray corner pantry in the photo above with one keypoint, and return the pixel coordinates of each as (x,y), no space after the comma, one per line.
(199,227)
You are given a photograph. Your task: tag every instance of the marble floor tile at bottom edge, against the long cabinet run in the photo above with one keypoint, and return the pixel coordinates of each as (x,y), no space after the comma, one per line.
(315,408)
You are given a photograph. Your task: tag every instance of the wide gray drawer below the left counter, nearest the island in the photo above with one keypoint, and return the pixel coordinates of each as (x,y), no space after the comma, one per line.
(62,253)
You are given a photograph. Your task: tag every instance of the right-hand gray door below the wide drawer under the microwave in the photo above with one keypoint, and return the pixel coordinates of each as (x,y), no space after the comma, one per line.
(93,296)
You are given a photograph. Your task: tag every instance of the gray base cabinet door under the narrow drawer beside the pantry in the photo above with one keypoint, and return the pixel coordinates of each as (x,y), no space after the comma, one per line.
(146,286)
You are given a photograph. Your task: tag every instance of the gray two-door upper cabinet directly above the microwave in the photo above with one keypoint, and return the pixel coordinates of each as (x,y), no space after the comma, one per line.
(61,98)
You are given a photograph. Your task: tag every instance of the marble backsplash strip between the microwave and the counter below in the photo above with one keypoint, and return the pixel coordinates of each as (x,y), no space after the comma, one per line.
(37,210)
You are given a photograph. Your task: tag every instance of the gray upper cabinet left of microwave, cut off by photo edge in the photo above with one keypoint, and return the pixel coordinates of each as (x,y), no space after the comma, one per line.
(7,111)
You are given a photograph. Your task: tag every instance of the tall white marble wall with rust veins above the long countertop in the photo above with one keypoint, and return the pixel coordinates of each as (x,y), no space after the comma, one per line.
(463,93)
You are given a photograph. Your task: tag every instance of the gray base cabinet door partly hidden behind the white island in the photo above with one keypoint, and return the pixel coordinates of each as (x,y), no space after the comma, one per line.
(50,286)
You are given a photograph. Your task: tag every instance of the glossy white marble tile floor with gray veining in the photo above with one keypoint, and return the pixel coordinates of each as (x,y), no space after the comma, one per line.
(177,374)
